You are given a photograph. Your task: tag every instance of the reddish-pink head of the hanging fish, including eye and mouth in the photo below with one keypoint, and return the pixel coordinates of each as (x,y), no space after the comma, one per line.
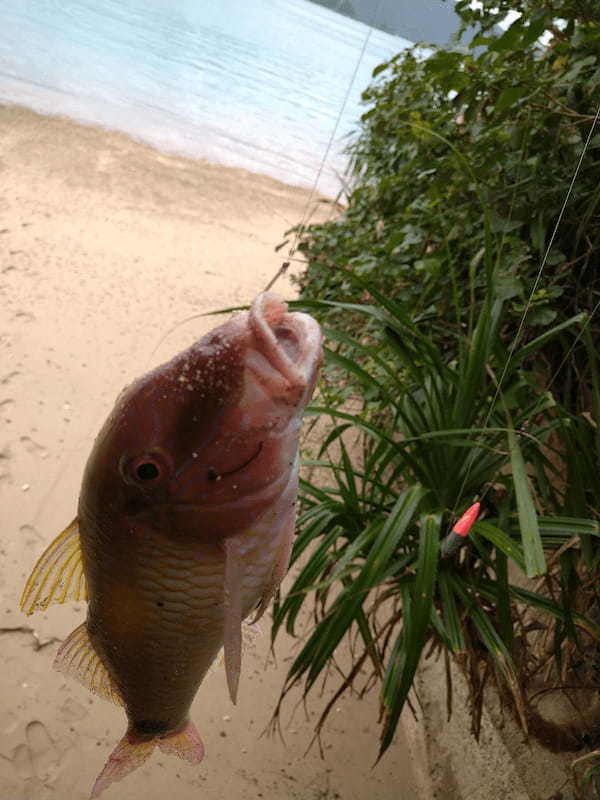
(204,444)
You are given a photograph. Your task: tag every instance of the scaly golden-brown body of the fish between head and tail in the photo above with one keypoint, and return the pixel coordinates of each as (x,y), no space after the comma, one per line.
(159,632)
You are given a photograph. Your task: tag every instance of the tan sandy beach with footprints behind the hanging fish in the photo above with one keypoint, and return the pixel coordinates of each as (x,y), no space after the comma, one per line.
(110,252)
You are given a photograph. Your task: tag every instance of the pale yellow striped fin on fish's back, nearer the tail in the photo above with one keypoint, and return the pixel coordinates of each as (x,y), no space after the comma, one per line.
(78,658)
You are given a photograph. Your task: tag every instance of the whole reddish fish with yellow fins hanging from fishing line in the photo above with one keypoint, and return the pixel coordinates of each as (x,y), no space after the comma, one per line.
(184,526)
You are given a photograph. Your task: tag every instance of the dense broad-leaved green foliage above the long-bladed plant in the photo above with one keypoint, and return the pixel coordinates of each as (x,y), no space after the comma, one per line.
(464,166)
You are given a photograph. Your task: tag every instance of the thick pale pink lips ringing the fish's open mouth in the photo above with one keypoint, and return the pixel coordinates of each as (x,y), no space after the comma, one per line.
(269,315)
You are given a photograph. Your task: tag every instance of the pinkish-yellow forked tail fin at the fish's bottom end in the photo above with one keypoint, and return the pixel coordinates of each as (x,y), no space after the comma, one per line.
(132,751)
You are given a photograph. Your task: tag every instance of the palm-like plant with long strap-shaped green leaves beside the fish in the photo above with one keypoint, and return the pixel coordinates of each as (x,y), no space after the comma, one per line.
(439,429)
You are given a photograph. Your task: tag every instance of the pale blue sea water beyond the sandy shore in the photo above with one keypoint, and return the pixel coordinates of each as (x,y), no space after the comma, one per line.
(251,83)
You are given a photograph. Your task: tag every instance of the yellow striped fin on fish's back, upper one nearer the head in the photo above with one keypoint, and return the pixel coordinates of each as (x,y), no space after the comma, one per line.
(58,575)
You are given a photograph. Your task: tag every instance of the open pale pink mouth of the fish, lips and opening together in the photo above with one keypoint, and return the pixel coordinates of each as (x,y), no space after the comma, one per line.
(287,345)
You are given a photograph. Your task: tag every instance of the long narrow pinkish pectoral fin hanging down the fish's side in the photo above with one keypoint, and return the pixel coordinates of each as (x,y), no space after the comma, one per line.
(234,574)
